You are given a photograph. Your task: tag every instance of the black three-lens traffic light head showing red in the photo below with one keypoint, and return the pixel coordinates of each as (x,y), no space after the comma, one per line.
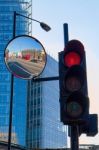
(74,102)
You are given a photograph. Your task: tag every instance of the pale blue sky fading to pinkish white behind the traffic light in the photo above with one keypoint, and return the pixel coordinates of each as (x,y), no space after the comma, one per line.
(83,24)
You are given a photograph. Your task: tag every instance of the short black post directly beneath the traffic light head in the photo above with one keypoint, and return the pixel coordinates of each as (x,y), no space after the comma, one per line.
(74,138)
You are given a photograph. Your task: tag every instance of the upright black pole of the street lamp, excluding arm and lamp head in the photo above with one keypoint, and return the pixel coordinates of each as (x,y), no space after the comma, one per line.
(11,92)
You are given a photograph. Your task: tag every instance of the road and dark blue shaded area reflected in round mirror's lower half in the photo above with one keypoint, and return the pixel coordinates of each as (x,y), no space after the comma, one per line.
(25,68)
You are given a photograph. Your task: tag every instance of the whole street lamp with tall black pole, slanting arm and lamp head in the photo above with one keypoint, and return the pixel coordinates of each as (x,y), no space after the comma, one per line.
(45,27)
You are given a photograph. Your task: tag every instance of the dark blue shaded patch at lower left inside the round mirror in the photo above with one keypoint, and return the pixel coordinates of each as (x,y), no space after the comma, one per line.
(18,70)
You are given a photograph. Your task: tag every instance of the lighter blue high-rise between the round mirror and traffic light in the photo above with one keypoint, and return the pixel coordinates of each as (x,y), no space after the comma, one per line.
(44,129)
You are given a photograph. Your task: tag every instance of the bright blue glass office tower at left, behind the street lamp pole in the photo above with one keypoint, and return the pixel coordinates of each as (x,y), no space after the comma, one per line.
(23,26)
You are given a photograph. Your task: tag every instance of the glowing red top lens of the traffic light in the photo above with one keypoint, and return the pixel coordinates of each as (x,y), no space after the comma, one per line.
(72,58)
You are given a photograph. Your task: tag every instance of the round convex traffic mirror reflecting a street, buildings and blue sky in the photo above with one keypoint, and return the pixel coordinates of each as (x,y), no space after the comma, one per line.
(25,57)
